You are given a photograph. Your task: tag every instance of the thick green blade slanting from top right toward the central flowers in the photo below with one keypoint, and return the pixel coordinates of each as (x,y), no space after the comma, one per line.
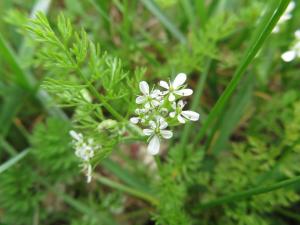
(255,45)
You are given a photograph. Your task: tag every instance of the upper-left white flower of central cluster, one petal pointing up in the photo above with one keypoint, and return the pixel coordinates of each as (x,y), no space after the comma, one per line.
(149,98)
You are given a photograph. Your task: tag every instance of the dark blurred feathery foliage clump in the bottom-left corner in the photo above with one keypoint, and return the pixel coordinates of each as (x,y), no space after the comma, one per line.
(20,194)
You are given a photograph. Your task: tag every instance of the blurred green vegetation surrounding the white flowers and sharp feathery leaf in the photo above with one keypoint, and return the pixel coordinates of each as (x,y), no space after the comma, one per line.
(239,165)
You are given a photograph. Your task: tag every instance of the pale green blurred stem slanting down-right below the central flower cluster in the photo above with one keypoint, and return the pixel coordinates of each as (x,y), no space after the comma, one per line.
(126,189)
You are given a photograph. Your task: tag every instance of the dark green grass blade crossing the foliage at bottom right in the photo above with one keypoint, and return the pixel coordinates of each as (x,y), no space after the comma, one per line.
(250,193)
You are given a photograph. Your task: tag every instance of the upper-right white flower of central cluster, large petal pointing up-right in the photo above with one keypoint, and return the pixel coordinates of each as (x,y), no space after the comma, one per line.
(176,87)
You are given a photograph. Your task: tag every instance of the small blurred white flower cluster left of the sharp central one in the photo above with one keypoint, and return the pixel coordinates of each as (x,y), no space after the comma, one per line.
(85,150)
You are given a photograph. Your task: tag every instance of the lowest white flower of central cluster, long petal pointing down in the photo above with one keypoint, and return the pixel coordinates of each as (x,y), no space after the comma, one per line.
(157,131)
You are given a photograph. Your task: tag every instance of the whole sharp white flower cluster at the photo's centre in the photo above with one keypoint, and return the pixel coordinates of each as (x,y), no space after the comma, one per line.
(159,109)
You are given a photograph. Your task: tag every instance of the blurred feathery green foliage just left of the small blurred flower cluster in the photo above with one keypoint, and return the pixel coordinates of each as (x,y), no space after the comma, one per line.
(52,150)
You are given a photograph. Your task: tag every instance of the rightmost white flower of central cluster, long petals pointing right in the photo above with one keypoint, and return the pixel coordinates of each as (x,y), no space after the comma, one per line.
(183,115)
